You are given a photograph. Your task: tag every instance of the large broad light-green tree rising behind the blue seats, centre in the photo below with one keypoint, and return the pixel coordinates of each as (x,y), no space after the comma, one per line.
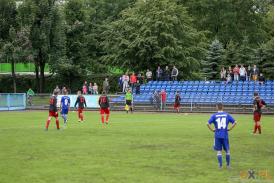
(153,33)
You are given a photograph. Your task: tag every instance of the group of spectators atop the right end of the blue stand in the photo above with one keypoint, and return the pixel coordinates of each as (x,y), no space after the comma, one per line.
(241,74)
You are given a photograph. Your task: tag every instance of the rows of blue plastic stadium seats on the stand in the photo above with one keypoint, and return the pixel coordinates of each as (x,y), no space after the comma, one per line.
(206,92)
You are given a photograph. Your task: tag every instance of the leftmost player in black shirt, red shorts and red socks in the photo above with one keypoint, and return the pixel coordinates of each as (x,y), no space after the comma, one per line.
(53,111)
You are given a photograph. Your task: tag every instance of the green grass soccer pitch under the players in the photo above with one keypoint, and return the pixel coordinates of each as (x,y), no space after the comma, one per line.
(140,147)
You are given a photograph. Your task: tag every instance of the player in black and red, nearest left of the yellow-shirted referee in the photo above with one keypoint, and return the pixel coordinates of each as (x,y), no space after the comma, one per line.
(103,102)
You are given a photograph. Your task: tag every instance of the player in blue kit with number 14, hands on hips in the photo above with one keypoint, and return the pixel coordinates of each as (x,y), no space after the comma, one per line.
(221,121)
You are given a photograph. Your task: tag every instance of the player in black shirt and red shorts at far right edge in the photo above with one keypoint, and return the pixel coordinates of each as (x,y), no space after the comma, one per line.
(259,104)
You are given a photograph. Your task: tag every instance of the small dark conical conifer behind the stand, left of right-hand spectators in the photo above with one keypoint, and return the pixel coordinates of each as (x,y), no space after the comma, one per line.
(213,60)
